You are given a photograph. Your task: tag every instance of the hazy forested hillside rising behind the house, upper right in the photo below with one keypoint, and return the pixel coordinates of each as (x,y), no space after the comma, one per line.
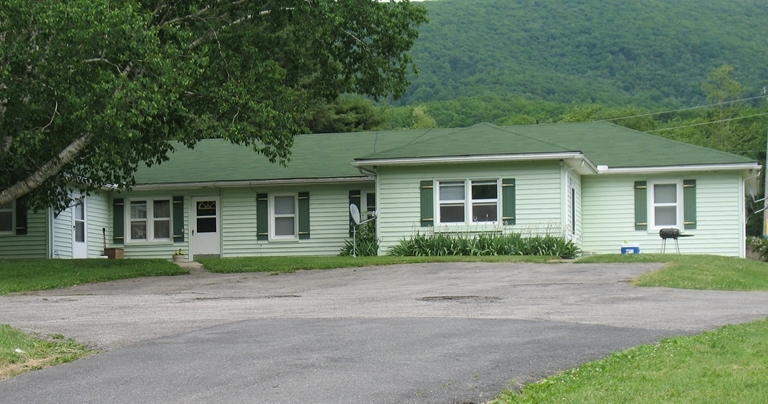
(648,53)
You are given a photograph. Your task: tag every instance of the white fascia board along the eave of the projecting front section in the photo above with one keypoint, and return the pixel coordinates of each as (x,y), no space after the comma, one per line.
(474,159)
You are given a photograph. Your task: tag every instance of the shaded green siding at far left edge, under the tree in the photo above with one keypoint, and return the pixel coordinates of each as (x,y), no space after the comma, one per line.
(34,244)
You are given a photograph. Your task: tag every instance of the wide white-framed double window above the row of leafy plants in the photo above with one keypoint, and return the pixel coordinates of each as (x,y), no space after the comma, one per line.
(468,202)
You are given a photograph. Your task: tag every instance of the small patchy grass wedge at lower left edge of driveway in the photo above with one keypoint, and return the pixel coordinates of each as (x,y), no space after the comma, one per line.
(21,353)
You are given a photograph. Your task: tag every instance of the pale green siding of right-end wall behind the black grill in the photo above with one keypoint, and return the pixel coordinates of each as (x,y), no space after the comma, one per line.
(609,215)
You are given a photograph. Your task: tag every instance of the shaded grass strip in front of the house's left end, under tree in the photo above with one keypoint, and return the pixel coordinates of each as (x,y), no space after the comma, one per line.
(42,274)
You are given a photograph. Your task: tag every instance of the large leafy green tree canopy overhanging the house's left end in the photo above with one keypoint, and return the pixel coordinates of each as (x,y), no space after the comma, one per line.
(91,89)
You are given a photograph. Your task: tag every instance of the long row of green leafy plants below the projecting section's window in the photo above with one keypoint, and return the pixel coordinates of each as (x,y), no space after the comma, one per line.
(488,243)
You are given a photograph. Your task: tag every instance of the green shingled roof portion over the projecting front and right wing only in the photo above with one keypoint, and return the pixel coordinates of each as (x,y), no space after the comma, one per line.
(603,143)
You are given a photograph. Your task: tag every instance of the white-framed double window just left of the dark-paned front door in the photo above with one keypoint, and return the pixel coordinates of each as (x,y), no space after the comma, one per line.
(150,220)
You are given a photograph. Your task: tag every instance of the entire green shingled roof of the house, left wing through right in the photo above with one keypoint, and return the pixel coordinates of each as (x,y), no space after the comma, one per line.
(327,156)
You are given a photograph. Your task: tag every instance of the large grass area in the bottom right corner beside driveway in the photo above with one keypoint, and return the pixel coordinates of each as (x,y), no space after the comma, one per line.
(728,365)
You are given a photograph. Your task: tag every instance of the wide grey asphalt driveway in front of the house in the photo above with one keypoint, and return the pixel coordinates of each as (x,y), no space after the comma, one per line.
(427,333)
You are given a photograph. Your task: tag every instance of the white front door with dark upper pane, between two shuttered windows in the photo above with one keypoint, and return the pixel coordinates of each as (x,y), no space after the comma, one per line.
(206,226)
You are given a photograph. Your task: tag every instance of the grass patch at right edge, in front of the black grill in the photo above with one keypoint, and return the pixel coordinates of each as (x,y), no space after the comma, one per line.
(706,272)
